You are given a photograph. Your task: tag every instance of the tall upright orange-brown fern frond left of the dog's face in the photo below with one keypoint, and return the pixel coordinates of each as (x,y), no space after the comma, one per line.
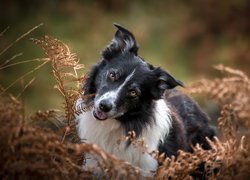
(65,65)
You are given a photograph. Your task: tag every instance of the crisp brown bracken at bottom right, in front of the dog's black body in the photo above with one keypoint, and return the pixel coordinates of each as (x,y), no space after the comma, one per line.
(187,164)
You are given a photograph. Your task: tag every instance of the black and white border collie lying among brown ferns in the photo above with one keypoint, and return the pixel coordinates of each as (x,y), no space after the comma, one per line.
(128,94)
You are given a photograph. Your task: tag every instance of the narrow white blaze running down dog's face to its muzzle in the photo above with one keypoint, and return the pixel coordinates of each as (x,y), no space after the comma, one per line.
(112,96)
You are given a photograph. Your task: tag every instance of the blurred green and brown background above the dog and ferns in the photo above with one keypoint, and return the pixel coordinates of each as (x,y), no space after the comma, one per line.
(185,37)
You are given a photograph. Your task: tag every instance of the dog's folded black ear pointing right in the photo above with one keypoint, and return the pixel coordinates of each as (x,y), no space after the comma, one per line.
(163,81)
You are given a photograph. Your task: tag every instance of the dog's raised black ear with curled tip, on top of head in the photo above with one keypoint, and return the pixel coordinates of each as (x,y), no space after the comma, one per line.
(123,41)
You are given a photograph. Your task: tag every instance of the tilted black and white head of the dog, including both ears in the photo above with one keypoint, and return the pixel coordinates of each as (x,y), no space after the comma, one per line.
(123,83)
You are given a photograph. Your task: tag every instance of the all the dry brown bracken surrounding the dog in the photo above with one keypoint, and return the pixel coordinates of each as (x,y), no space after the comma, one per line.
(29,152)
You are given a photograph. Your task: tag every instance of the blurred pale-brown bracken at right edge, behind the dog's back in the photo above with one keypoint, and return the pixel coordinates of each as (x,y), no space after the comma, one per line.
(233,90)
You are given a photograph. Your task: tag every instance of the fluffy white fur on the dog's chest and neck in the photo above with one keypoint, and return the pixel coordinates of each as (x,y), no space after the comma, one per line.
(106,135)
